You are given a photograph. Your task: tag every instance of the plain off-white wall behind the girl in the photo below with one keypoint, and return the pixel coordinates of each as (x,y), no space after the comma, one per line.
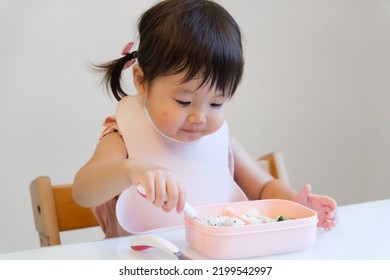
(316,88)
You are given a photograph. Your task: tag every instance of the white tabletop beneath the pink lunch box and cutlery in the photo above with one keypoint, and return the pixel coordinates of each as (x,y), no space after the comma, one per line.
(363,232)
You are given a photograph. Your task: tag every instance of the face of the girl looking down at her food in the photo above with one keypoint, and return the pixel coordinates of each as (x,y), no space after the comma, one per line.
(182,110)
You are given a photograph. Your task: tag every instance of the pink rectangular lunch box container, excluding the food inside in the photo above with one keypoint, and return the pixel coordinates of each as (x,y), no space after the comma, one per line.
(256,239)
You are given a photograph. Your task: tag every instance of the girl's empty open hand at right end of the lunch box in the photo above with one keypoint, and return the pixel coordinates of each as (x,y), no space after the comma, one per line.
(325,206)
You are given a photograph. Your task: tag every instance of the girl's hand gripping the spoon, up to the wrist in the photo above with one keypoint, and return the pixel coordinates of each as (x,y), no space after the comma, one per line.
(161,187)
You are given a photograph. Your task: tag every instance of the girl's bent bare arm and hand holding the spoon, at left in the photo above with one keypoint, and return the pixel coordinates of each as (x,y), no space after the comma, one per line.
(109,172)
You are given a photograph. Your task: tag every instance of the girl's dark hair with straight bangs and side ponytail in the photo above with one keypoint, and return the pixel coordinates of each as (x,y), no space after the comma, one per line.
(197,36)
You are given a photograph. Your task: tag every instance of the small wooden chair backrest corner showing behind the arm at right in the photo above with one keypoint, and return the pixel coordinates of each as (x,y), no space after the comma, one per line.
(274,164)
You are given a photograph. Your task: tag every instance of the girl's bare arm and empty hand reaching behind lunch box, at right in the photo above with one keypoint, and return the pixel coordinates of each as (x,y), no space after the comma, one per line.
(258,184)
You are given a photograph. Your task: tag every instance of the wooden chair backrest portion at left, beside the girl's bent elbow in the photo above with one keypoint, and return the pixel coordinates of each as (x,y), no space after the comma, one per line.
(55,211)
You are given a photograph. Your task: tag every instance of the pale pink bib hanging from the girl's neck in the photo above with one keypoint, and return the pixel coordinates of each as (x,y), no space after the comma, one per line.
(202,167)
